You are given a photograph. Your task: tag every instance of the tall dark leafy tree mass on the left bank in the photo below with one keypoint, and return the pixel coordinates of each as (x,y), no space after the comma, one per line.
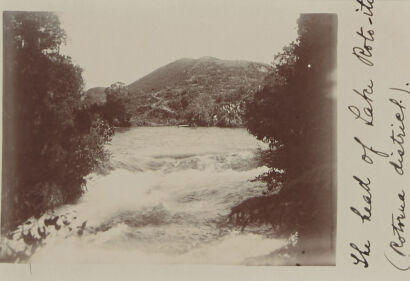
(50,141)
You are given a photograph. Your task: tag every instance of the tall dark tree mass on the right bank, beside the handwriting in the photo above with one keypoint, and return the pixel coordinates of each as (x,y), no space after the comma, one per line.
(294,114)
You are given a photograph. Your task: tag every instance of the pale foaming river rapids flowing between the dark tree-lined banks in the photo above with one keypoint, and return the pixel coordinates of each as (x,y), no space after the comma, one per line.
(166,200)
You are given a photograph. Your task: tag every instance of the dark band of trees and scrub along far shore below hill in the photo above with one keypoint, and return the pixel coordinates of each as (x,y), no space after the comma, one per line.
(170,107)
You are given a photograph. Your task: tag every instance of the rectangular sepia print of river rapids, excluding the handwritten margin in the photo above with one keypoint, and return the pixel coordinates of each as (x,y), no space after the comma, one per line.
(175,134)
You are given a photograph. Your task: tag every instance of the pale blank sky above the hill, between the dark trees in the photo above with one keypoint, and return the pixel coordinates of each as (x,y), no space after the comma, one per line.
(124,43)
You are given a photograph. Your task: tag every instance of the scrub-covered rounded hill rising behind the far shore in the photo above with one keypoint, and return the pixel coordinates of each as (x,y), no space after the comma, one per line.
(199,92)
